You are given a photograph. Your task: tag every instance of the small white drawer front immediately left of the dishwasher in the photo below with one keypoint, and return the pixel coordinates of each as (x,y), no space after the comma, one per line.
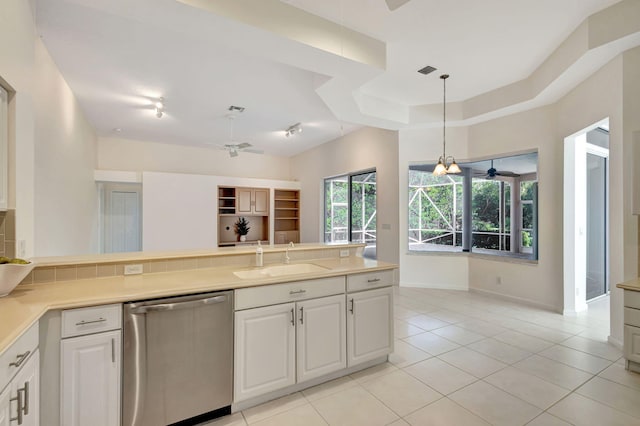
(76,322)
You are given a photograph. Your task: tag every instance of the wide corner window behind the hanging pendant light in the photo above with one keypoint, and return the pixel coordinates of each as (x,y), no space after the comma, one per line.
(502,211)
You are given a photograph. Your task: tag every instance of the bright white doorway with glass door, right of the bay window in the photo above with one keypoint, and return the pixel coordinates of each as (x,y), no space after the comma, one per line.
(586,215)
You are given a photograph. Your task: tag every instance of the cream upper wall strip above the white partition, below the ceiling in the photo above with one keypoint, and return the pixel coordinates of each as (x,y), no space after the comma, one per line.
(132,155)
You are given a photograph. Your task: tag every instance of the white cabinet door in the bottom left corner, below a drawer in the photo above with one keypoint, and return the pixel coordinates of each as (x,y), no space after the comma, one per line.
(27,382)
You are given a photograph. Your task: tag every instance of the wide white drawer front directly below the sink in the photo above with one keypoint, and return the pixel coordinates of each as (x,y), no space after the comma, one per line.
(253,297)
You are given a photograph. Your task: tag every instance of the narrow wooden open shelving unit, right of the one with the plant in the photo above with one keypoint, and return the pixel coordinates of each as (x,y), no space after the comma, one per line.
(286,216)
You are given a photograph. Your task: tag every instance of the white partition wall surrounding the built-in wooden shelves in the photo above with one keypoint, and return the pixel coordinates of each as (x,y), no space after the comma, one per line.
(180,211)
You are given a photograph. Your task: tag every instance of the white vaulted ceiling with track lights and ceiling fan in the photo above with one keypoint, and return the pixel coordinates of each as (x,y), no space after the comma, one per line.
(118,55)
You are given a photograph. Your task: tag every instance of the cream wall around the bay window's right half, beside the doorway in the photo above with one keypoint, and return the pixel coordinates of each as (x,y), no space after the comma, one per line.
(531,130)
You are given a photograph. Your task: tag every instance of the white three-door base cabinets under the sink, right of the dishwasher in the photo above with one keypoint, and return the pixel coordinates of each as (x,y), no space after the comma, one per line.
(291,333)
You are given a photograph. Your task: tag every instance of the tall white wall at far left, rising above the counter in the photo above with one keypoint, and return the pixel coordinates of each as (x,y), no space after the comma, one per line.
(51,144)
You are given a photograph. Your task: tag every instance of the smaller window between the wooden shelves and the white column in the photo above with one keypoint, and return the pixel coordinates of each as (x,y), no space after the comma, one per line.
(350,209)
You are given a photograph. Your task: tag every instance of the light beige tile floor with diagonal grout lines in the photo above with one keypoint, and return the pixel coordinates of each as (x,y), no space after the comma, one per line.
(462,358)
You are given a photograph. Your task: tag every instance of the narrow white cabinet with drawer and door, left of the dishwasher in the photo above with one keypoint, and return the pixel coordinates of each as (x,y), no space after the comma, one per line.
(90,360)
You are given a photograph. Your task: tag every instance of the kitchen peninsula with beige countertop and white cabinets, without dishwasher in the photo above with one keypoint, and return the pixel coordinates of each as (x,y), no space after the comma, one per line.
(322,285)
